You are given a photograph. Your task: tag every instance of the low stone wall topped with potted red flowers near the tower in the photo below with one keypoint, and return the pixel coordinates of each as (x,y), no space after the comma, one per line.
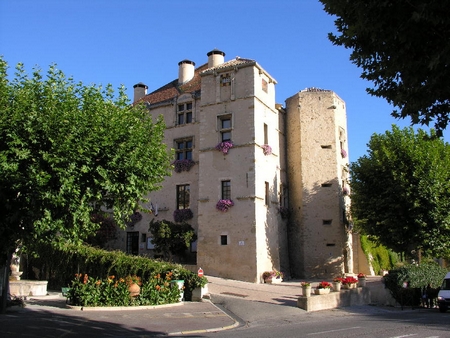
(343,298)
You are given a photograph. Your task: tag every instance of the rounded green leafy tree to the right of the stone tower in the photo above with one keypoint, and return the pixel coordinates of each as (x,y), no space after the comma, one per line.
(401,191)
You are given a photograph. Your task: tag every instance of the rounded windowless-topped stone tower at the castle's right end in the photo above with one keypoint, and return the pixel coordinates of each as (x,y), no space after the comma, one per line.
(316,126)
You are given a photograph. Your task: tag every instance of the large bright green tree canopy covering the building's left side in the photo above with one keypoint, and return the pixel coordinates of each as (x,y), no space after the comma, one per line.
(68,151)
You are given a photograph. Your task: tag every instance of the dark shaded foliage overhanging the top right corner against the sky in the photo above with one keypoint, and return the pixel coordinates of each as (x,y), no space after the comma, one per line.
(402,47)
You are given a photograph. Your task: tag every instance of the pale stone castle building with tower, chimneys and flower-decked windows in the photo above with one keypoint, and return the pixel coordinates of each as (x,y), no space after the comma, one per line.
(281,159)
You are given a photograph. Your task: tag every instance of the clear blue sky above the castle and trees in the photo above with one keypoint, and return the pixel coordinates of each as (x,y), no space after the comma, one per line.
(131,41)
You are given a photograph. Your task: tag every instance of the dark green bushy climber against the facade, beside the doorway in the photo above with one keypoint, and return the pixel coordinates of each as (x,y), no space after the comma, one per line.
(171,238)
